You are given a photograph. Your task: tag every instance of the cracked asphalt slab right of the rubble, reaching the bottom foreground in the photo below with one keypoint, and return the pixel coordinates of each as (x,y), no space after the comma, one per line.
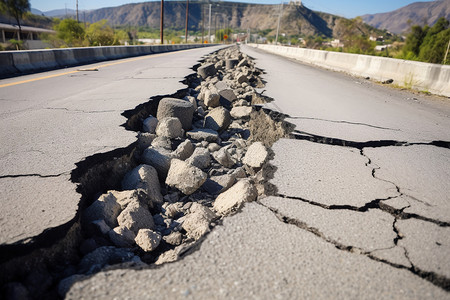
(361,210)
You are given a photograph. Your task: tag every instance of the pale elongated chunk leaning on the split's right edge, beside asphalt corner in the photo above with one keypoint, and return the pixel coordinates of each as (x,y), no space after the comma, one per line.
(233,199)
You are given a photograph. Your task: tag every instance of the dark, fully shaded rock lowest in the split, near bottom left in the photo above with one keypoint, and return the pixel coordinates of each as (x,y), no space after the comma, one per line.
(108,255)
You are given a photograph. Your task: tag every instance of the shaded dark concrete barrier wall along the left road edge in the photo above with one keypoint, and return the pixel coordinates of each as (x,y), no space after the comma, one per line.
(20,62)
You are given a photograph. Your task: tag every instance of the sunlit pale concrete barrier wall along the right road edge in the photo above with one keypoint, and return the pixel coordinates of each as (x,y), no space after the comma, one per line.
(411,74)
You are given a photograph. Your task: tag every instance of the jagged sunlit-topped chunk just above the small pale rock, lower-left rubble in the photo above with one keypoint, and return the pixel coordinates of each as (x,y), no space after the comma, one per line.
(136,216)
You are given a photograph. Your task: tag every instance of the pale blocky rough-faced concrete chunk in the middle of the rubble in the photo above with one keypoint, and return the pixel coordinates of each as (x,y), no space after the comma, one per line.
(185,177)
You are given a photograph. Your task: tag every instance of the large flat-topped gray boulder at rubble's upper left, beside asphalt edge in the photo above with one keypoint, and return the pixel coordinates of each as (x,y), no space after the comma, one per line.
(181,109)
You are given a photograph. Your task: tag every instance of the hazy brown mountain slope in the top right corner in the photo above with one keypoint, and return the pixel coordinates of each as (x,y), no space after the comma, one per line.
(420,13)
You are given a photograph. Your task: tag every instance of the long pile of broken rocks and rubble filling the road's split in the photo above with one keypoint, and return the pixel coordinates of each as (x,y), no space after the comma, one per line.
(198,163)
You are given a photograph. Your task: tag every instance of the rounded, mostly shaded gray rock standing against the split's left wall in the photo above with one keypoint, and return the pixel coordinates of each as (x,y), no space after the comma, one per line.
(143,177)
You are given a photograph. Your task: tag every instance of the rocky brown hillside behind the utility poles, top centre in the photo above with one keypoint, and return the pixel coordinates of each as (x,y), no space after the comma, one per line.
(296,19)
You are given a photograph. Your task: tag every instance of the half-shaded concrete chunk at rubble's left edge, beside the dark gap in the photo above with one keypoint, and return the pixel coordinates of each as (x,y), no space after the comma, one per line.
(104,208)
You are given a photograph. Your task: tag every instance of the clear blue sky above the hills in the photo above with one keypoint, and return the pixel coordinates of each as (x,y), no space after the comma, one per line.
(346,8)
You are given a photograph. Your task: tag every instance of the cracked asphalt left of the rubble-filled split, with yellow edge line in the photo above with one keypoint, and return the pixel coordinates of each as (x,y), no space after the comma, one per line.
(48,125)
